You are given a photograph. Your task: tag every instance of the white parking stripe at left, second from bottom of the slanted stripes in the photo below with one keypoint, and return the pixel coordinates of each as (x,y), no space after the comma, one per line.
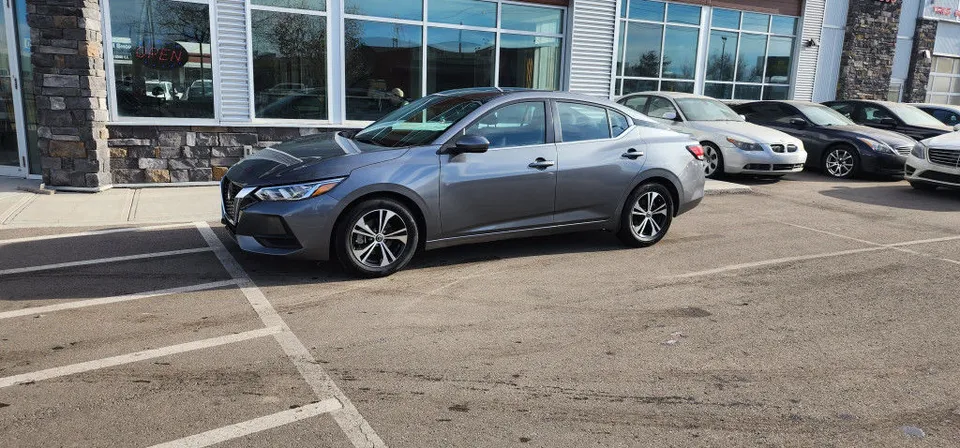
(135,357)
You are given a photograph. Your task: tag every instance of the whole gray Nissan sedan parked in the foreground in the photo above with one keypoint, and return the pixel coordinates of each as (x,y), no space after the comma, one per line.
(460,167)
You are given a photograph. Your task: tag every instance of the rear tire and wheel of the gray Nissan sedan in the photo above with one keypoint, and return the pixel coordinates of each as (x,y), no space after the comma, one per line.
(637,211)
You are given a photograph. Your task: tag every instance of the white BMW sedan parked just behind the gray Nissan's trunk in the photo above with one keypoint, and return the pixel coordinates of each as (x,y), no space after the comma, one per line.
(732,145)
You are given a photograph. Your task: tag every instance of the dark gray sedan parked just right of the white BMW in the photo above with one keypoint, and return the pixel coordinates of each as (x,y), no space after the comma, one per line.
(835,144)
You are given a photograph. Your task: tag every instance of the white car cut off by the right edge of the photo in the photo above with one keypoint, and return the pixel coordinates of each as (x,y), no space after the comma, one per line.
(935,163)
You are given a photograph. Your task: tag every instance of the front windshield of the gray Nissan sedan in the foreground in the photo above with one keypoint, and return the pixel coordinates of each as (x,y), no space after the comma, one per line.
(419,122)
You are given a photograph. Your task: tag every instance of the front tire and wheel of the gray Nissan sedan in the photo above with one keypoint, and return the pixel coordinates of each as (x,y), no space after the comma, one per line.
(380,250)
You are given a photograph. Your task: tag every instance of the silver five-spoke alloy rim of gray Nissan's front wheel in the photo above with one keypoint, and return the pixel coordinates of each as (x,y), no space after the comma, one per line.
(378,238)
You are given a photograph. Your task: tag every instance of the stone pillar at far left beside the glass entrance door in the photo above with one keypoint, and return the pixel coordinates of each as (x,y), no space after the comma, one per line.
(71,92)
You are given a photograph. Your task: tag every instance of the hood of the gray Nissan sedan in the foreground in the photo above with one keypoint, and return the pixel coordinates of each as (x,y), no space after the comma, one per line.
(315,157)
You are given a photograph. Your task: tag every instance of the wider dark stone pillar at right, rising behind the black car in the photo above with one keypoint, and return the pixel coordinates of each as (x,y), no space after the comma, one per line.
(868,50)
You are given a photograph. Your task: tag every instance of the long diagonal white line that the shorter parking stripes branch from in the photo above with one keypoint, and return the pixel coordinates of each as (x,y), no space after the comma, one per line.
(356,428)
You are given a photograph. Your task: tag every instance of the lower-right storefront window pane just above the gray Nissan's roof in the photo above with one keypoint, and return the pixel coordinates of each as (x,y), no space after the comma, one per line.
(529,61)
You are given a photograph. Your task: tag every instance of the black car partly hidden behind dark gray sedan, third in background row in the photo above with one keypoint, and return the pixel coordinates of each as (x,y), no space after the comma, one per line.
(902,118)
